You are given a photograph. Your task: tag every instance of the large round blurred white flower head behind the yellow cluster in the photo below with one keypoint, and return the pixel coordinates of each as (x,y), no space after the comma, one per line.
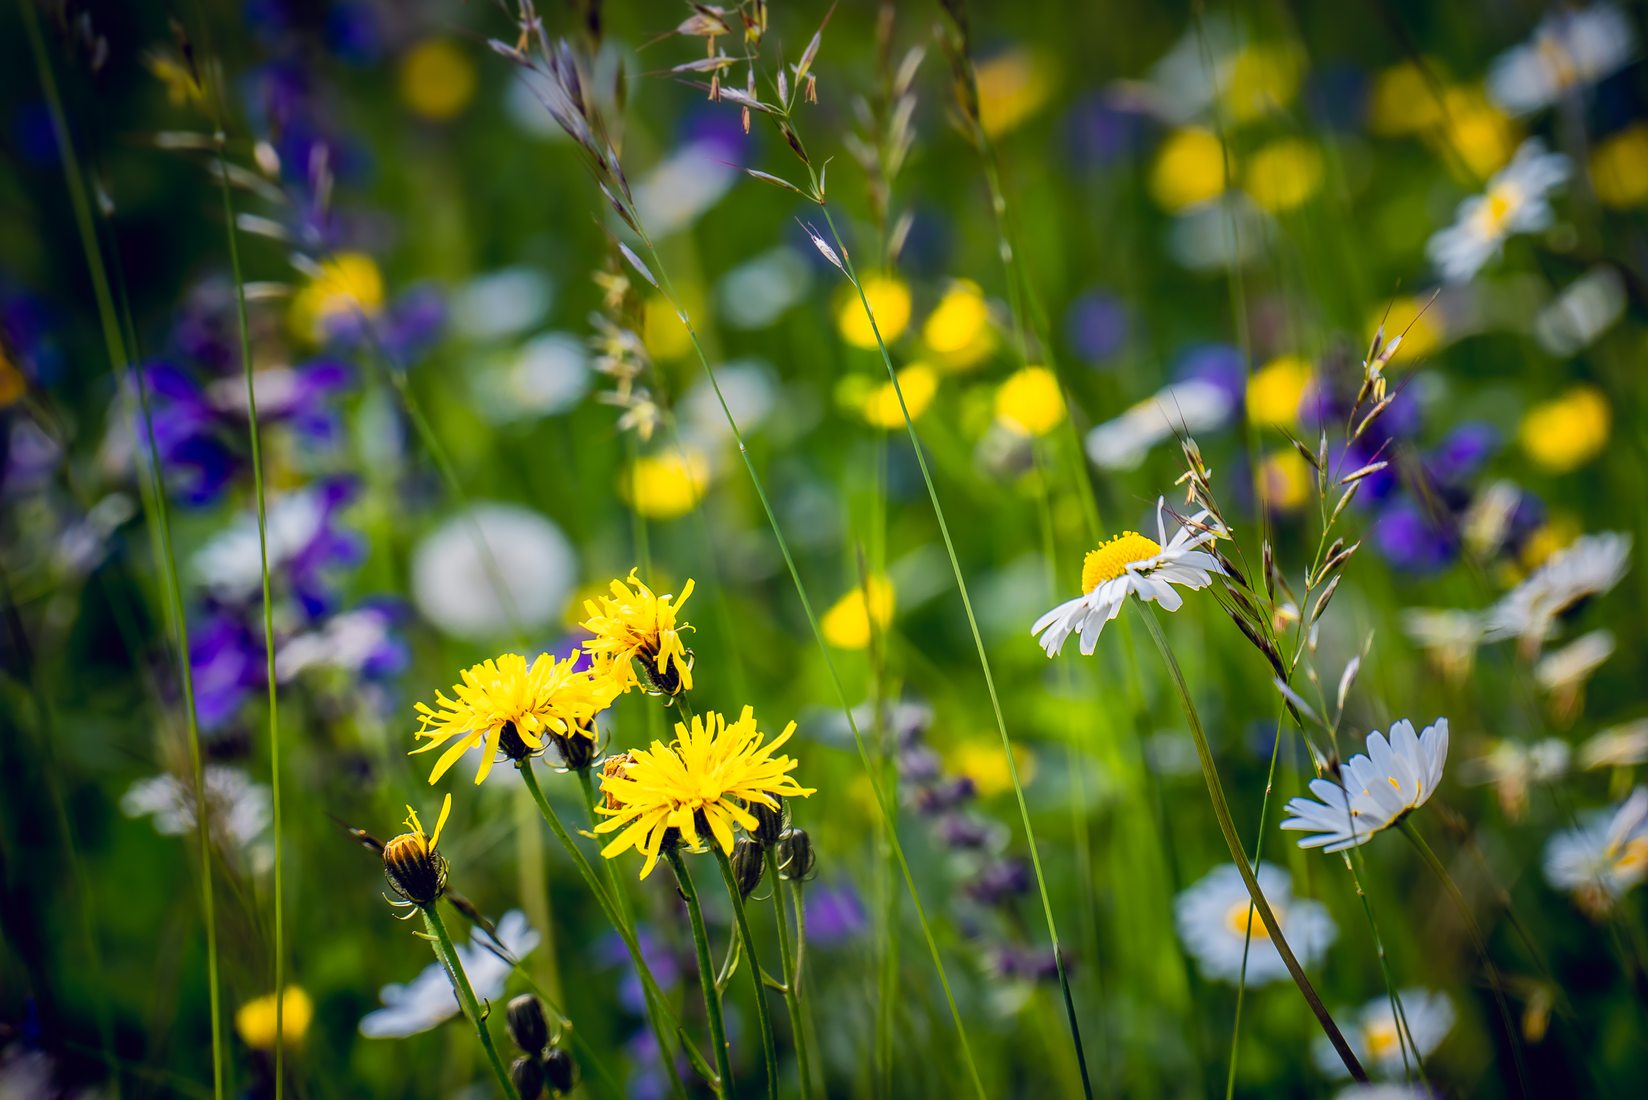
(522,585)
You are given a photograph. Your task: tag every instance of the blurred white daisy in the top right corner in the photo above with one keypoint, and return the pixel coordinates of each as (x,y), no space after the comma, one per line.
(1570,50)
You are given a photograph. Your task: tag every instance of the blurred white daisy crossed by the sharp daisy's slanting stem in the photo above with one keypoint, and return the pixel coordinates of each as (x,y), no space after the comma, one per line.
(1214,919)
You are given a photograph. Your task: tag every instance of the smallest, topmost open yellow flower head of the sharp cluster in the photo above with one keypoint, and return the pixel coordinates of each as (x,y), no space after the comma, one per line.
(637,626)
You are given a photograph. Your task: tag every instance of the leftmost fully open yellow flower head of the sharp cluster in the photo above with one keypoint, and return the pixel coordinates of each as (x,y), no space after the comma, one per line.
(512,705)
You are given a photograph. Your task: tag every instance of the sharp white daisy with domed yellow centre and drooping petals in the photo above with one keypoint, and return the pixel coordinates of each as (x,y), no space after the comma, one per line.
(1133,565)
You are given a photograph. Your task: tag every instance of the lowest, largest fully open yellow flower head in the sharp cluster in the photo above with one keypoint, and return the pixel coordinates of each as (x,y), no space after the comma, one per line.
(708,779)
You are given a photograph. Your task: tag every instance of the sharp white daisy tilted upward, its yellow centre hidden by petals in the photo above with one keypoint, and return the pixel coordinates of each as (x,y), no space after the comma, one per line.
(1395,778)
